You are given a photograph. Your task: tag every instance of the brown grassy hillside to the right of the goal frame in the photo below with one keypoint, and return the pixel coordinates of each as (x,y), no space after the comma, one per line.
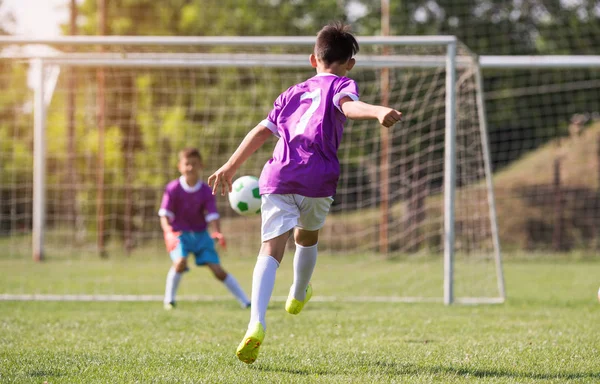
(534,214)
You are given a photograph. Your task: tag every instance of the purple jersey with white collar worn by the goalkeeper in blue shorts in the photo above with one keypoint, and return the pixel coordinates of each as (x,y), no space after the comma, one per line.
(189,208)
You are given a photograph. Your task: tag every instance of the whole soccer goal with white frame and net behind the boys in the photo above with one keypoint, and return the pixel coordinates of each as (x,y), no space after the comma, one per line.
(417,199)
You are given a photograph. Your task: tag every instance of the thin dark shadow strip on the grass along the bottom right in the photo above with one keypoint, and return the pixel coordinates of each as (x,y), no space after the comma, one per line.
(403,369)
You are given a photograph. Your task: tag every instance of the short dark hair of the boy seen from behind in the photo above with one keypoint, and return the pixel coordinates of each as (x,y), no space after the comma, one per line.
(335,43)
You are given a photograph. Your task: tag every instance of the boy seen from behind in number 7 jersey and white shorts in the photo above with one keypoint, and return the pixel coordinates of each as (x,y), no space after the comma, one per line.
(297,184)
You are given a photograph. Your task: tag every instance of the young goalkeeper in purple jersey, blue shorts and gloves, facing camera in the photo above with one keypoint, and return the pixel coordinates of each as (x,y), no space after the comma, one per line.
(188,207)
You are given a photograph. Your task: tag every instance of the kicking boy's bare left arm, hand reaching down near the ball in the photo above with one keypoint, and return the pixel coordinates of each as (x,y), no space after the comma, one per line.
(224,175)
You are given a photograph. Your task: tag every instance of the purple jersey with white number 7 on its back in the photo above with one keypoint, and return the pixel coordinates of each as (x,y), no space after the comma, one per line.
(309,122)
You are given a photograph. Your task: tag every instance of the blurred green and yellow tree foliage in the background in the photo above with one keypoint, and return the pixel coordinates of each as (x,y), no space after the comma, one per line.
(148,119)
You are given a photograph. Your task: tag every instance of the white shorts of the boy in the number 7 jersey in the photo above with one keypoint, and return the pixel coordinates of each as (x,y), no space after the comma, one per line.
(281,213)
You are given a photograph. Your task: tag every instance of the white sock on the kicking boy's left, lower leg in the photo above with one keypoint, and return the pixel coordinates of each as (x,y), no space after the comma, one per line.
(263,282)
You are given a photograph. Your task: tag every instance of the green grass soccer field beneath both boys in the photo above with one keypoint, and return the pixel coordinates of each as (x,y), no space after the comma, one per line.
(547,331)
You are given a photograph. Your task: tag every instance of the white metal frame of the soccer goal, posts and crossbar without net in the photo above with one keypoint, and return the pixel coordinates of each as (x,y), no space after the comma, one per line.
(446,57)
